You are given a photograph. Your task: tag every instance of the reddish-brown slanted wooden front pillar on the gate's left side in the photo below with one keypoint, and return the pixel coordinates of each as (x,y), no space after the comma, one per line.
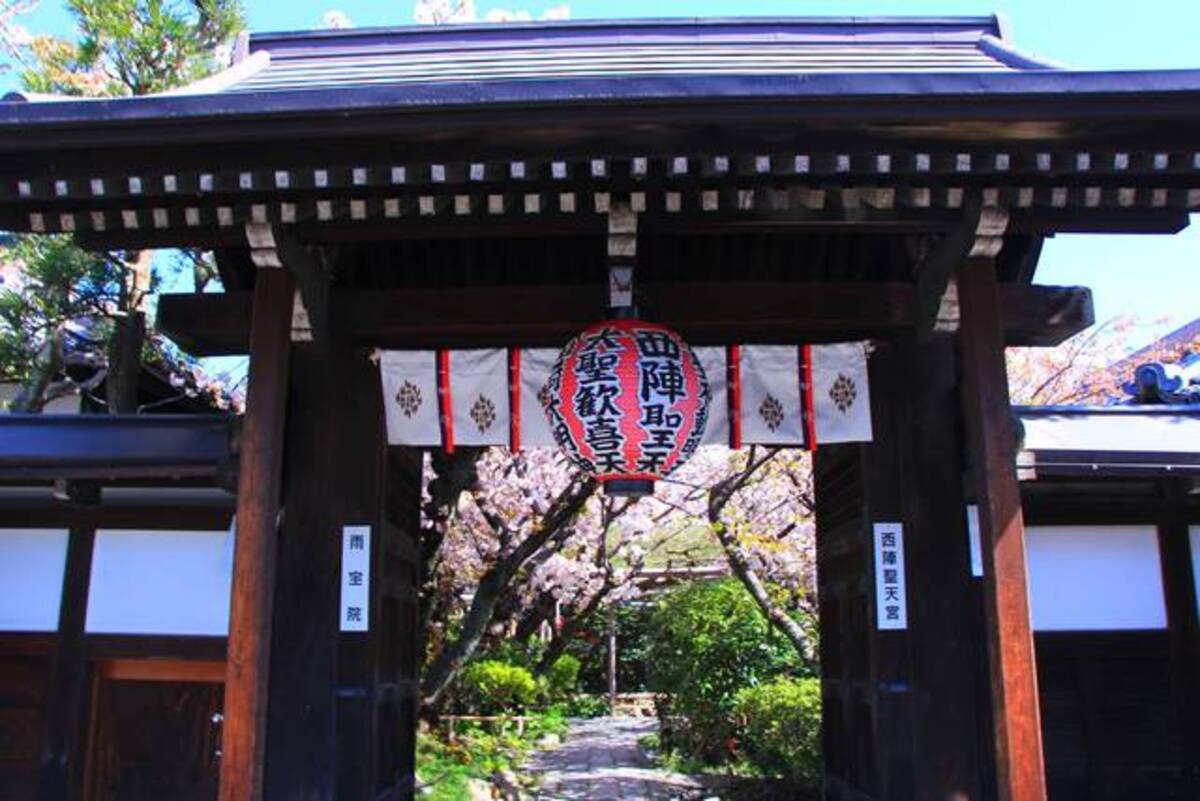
(259,505)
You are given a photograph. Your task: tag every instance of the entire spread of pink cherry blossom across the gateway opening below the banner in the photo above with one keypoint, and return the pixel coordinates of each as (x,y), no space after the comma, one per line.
(513,541)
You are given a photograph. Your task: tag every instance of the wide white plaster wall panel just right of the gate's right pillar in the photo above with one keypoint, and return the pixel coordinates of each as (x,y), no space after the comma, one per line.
(1095,579)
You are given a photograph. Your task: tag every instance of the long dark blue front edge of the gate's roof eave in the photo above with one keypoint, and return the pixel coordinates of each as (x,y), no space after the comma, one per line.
(850,95)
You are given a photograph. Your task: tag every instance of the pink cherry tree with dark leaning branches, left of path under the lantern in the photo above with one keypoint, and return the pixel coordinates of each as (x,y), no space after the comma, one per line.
(512,541)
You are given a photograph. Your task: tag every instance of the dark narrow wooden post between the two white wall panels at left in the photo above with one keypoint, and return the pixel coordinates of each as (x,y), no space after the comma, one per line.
(63,743)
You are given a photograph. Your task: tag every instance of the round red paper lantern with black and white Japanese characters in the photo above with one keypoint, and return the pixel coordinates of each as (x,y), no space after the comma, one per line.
(628,401)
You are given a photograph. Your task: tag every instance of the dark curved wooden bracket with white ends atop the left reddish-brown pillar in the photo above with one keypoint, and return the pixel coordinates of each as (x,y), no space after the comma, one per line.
(272,248)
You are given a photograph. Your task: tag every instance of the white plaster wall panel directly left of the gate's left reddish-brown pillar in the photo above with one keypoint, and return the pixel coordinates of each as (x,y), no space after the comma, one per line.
(161,583)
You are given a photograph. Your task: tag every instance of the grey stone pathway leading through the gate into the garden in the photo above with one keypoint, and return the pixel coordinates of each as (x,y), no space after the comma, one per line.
(601,762)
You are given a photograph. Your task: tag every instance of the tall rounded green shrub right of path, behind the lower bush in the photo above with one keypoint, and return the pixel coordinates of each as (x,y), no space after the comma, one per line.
(709,642)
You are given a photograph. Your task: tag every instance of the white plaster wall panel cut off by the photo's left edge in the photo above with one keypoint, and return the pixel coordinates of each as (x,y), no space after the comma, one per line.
(32,565)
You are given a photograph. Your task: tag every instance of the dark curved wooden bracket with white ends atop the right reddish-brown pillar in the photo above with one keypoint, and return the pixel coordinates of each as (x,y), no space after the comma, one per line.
(981,234)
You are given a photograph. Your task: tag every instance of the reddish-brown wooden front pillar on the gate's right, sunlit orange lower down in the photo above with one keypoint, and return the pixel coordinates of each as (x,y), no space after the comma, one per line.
(1021,770)
